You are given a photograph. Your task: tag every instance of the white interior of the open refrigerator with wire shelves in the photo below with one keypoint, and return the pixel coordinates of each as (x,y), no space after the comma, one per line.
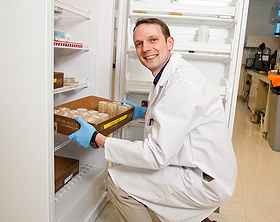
(83,46)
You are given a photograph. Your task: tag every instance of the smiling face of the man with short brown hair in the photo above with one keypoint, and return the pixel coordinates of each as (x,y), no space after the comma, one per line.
(152,49)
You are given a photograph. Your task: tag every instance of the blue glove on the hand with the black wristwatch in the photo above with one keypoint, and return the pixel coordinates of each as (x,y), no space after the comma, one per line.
(83,136)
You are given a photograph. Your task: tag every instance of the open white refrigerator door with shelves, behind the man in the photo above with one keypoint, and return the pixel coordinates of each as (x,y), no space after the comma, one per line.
(219,59)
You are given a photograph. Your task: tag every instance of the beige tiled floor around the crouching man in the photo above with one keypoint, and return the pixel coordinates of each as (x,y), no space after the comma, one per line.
(257,195)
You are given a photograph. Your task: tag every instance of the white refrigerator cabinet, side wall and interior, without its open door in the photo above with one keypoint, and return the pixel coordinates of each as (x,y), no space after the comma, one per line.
(28,60)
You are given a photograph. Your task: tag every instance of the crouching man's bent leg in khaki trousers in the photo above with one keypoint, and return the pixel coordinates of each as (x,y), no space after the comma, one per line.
(129,209)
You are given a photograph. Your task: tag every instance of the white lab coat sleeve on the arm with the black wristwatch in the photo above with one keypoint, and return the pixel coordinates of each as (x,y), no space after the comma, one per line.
(179,110)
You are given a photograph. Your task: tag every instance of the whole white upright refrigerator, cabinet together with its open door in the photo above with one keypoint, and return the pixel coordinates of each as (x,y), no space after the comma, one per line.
(28,60)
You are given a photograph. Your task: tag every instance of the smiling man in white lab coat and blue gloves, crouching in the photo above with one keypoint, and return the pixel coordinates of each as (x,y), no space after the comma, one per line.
(185,167)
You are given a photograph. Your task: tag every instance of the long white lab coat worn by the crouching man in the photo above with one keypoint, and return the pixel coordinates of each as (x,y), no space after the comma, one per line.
(188,136)
